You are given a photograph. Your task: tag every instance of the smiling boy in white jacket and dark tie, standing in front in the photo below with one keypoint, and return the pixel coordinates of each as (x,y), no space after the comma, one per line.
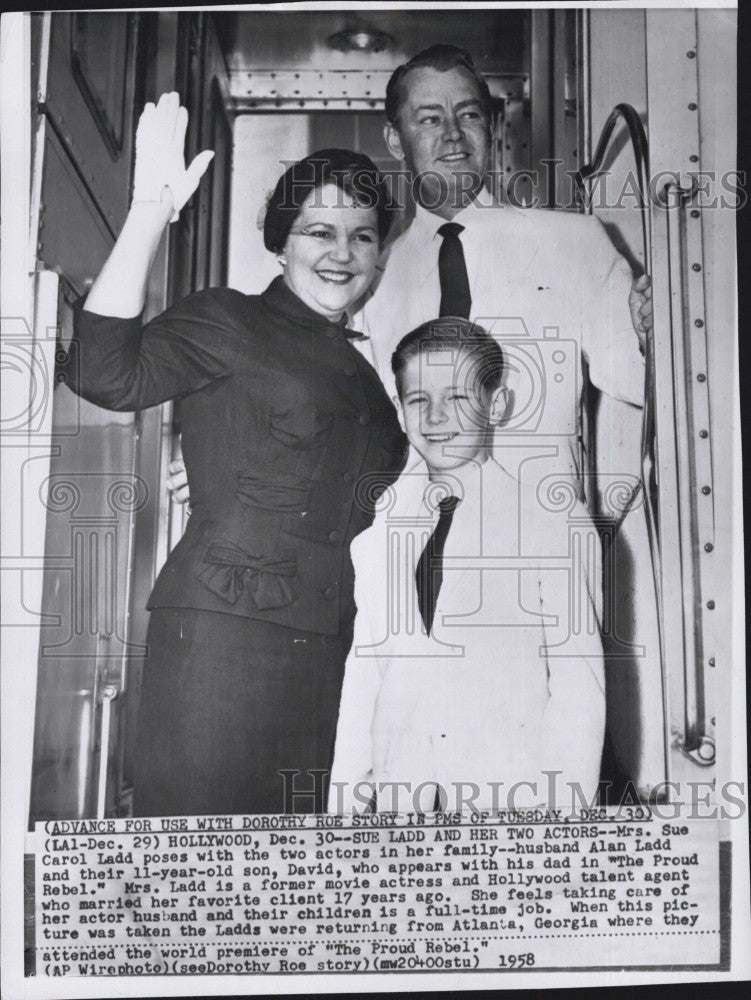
(476,665)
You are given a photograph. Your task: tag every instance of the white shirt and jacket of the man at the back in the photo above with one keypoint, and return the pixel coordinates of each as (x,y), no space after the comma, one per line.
(552,290)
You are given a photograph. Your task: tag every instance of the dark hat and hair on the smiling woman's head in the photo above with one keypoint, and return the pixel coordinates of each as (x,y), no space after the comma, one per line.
(353,173)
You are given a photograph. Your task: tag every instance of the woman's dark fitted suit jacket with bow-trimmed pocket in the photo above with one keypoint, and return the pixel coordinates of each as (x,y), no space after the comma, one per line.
(285,427)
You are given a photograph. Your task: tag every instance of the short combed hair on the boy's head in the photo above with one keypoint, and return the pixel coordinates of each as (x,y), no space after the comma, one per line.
(452,333)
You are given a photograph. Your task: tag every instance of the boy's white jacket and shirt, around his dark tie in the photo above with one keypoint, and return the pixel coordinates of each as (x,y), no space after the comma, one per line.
(475,702)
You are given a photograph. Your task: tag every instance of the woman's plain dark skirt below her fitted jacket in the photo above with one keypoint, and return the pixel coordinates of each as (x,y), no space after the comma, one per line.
(227,705)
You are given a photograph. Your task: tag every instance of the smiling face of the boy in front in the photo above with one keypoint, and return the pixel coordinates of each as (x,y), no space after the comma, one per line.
(447,415)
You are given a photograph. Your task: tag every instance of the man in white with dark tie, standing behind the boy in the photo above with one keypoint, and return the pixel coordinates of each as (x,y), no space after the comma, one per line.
(548,285)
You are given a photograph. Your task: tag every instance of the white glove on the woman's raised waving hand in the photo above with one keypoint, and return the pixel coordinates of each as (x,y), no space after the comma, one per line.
(160,156)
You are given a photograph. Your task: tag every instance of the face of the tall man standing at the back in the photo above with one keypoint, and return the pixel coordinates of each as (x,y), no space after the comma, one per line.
(443,134)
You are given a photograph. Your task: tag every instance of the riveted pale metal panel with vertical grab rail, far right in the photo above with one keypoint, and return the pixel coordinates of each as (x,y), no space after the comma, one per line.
(695,356)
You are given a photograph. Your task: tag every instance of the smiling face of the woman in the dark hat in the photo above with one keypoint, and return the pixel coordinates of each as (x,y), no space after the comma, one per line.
(332,250)
